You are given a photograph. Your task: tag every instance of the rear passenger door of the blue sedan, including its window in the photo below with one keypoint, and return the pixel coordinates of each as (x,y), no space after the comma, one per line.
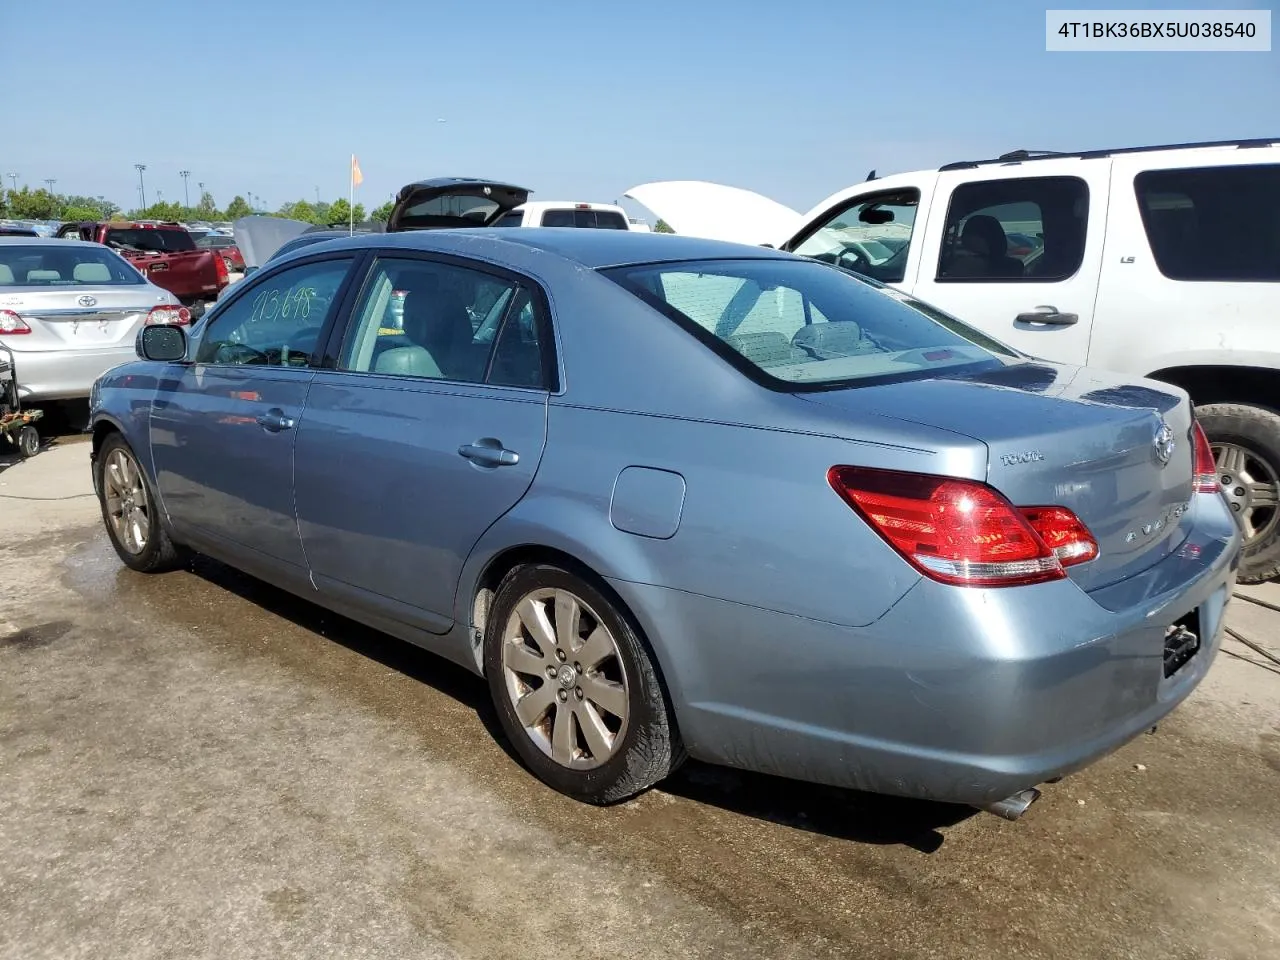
(427,426)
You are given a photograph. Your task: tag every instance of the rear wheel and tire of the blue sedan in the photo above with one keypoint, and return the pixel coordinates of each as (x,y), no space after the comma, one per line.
(577,689)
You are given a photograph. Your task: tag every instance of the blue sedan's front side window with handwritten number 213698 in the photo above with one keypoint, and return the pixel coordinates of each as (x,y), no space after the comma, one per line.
(278,322)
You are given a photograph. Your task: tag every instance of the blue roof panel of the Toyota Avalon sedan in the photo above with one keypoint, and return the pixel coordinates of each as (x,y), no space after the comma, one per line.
(592,249)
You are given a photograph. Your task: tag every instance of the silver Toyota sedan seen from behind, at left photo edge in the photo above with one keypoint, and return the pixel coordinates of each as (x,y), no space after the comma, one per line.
(71,310)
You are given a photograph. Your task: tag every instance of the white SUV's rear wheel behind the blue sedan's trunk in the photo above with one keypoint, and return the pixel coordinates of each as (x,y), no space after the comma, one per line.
(1246,444)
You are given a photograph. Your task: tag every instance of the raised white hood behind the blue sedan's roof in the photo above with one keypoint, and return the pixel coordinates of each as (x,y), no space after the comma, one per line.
(717,212)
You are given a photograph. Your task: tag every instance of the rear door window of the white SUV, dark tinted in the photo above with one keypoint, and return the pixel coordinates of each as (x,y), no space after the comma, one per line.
(1030,230)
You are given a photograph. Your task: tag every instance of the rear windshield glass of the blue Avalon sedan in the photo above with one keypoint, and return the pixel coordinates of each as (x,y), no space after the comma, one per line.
(808,324)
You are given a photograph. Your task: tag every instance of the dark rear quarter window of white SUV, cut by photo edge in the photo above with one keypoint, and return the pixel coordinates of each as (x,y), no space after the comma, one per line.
(1217,223)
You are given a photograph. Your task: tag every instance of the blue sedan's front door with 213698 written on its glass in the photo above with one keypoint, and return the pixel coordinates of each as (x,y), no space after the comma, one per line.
(223,432)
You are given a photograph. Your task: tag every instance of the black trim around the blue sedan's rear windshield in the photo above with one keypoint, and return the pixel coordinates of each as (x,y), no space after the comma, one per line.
(751,371)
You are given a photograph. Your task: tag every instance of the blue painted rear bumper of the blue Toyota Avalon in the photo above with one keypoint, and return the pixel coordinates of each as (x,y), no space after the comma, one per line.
(956,694)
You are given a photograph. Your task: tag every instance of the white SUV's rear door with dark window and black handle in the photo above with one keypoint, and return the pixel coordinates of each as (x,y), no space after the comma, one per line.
(1016,252)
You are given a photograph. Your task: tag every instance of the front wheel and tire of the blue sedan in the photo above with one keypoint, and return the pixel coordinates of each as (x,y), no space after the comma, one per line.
(130,511)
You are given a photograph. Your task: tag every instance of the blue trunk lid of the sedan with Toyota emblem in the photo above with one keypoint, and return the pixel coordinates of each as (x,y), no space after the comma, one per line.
(1066,437)
